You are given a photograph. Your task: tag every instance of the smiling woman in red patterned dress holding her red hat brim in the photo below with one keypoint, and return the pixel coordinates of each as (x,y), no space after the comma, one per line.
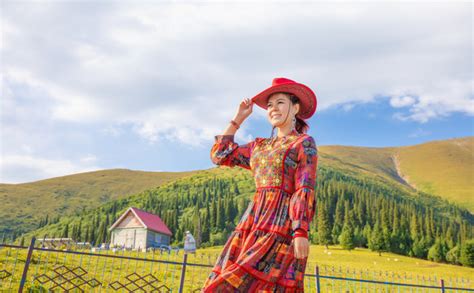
(268,250)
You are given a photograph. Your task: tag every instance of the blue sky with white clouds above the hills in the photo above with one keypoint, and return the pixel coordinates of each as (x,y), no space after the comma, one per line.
(143,85)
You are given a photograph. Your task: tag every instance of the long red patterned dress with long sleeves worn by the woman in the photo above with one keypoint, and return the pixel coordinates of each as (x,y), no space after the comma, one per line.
(259,254)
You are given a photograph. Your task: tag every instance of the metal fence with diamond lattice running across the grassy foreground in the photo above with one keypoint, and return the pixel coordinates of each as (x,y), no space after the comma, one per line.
(39,269)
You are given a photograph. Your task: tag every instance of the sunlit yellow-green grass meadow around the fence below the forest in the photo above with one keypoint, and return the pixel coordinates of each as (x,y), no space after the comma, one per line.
(130,273)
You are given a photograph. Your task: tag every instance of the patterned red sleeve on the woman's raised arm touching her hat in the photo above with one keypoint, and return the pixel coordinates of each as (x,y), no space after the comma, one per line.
(226,152)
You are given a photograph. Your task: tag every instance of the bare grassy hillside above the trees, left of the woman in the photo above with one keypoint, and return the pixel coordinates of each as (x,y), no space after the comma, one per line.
(23,205)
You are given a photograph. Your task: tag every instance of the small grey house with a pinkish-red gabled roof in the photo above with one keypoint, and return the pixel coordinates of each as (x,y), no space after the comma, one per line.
(139,229)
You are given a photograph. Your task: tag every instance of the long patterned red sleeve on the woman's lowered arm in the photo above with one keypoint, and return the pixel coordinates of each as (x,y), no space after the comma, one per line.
(303,200)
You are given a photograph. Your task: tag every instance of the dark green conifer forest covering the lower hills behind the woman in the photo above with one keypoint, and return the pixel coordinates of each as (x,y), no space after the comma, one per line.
(351,212)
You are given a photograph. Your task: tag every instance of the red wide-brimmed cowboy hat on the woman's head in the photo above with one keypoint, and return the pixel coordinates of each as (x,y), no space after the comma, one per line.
(306,96)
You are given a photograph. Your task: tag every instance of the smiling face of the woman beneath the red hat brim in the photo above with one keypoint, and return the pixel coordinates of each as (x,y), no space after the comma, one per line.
(277,110)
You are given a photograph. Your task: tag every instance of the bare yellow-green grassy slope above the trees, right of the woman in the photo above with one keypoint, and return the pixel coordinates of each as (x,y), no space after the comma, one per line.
(443,168)
